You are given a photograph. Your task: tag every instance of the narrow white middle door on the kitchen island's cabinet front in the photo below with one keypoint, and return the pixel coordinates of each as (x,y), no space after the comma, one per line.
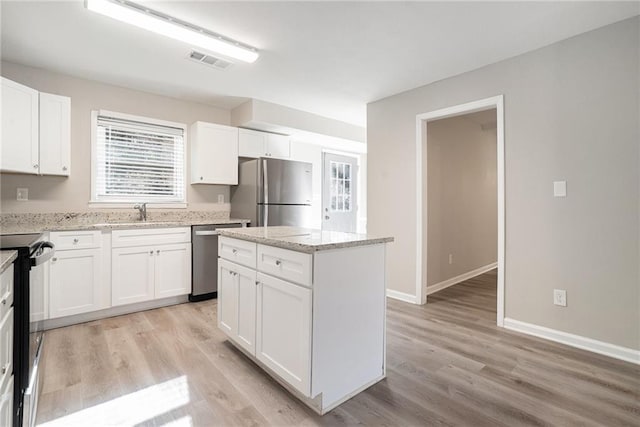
(247,292)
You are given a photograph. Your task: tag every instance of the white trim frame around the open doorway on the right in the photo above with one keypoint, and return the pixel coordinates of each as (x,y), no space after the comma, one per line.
(422,120)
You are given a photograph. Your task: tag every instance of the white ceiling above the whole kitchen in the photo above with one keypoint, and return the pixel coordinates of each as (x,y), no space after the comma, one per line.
(328,58)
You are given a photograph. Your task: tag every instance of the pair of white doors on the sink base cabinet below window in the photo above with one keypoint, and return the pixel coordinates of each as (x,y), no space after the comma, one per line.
(143,273)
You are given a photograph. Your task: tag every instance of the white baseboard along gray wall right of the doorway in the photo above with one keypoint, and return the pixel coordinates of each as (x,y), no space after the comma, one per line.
(584,343)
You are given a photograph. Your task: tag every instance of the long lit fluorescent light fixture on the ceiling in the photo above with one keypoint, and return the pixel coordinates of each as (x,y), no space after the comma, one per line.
(168,26)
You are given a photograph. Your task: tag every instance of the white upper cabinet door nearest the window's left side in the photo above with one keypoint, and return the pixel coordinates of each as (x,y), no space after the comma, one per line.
(55,134)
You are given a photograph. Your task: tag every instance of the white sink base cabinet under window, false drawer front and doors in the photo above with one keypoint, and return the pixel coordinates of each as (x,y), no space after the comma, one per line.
(149,264)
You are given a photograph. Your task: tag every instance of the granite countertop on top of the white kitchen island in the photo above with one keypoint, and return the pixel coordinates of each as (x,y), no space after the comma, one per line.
(302,239)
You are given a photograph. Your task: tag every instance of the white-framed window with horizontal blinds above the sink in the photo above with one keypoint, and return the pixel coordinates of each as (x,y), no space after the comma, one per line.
(136,159)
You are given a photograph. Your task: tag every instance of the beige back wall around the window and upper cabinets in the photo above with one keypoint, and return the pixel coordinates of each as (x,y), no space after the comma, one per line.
(59,194)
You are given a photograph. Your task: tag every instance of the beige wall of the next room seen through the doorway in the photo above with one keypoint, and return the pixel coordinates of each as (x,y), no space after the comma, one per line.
(462,207)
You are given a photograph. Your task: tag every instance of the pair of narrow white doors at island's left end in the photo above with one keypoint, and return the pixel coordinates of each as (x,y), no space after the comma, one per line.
(237,307)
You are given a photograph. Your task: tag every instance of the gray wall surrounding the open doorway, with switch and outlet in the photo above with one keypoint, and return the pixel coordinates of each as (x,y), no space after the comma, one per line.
(571,112)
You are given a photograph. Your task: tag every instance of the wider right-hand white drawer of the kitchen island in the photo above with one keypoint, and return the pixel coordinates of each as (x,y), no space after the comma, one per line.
(289,265)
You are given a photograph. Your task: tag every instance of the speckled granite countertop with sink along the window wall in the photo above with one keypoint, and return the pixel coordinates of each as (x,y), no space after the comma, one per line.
(38,223)
